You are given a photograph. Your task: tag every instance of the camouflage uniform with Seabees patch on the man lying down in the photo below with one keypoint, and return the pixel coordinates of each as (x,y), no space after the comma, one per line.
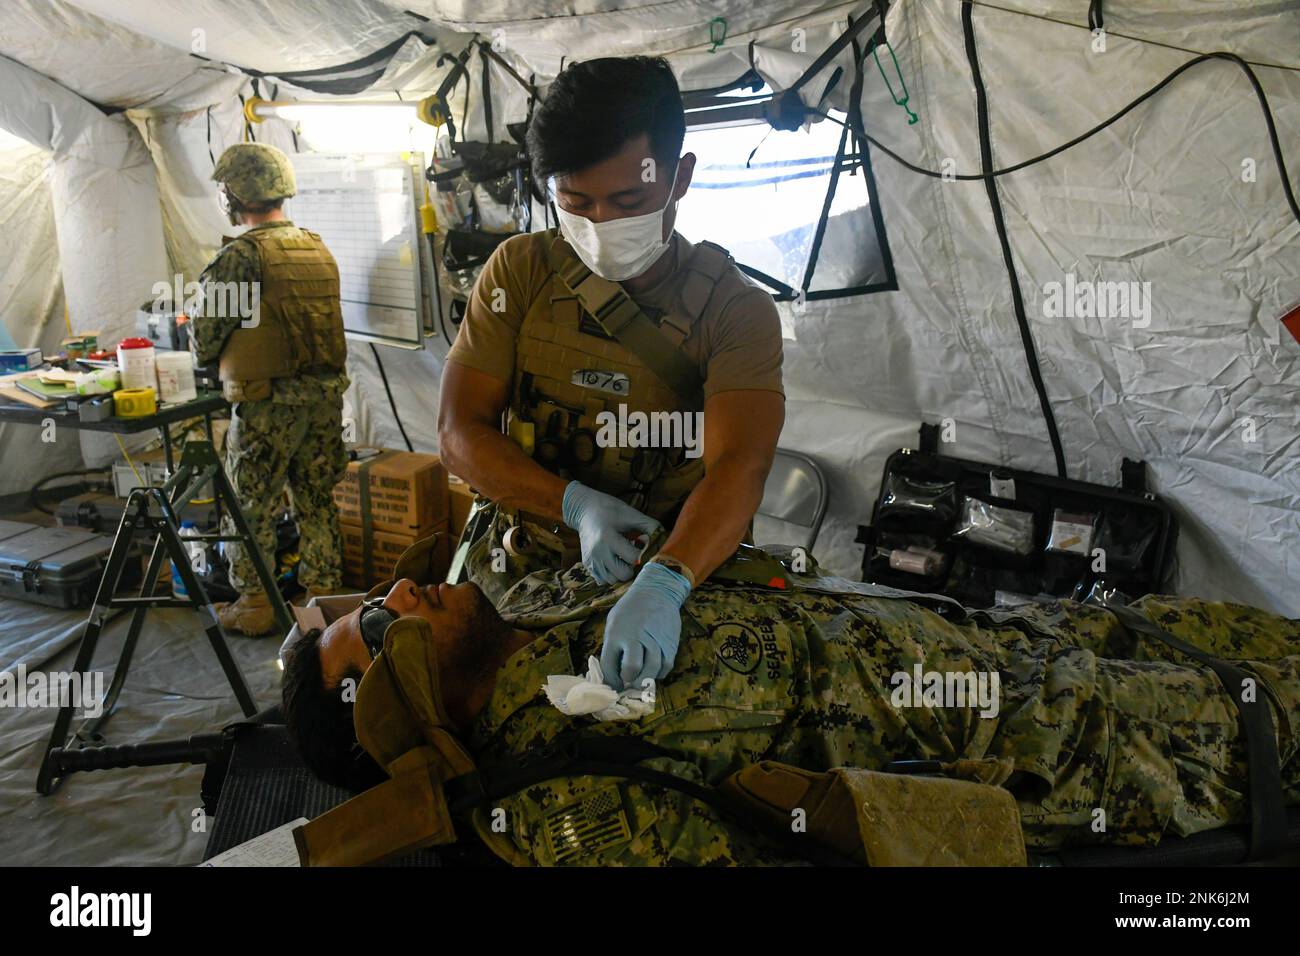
(1093,717)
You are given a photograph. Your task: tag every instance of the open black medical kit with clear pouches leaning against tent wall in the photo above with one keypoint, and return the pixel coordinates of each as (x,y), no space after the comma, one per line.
(987,535)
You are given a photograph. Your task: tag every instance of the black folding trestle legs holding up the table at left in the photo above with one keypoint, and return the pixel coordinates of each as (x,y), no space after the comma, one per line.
(154,511)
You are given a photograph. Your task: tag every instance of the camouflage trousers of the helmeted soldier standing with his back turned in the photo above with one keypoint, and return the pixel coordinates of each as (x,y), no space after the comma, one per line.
(267,447)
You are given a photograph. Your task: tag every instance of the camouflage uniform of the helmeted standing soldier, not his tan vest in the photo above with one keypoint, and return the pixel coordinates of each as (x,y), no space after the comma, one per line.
(297,435)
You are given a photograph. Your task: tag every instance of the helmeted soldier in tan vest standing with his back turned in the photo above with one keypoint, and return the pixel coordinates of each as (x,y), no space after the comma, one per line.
(283,370)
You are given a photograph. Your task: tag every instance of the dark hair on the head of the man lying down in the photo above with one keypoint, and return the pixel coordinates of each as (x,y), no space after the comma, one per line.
(320,721)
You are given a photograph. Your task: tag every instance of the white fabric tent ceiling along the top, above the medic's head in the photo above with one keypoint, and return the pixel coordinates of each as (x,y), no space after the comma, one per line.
(141,53)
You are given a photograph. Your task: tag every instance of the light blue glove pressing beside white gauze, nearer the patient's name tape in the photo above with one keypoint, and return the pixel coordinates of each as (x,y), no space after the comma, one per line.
(644,628)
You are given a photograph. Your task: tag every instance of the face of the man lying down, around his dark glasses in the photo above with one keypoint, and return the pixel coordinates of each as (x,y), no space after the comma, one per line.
(453,612)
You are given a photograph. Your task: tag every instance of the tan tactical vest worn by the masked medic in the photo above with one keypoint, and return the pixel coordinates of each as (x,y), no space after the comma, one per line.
(569,371)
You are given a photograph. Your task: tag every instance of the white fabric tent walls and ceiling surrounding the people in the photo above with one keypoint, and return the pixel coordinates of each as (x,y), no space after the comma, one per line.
(112,113)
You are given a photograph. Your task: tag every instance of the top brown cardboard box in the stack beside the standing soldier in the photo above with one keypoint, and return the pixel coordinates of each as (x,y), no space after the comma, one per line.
(408,494)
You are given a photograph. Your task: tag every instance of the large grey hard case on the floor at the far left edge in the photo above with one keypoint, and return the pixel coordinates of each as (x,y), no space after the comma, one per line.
(57,566)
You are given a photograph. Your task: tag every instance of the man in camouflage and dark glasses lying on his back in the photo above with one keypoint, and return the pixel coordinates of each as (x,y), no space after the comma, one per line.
(1094,736)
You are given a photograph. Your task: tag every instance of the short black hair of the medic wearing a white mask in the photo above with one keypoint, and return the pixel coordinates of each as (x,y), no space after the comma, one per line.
(596,107)
